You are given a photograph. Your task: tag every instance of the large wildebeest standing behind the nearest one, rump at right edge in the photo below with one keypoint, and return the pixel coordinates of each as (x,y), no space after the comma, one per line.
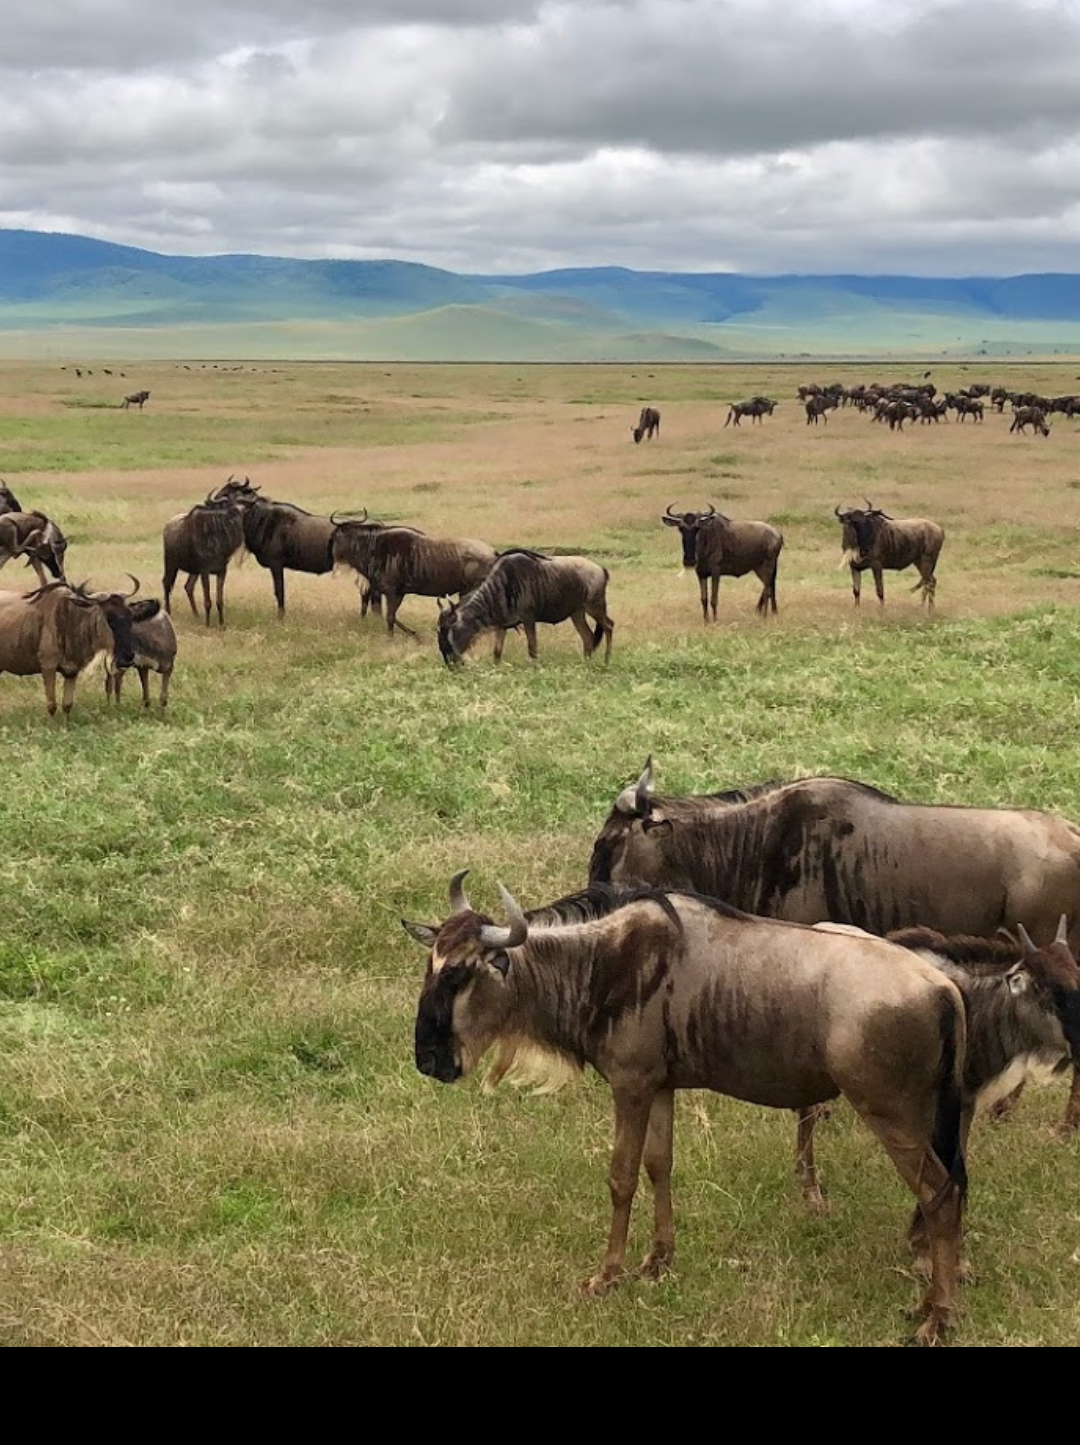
(829,849)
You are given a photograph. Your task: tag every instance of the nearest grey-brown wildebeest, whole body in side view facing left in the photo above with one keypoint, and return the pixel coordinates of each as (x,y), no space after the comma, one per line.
(670,992)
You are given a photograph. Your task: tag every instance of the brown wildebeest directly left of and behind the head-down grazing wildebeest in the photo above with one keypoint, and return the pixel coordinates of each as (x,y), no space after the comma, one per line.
(401,561)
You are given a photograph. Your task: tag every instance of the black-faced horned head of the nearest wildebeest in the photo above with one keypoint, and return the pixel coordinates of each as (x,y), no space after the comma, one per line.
(465,1002)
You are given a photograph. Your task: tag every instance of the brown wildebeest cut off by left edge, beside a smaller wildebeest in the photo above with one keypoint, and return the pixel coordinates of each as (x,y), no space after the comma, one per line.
(60,629)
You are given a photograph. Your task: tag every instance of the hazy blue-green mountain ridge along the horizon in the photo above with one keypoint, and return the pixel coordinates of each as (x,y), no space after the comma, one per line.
(51,280)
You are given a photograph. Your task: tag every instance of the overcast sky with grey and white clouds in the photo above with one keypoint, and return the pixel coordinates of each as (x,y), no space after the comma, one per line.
(920,137)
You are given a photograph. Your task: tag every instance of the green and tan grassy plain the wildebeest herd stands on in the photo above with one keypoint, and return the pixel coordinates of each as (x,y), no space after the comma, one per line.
(210,1125)
